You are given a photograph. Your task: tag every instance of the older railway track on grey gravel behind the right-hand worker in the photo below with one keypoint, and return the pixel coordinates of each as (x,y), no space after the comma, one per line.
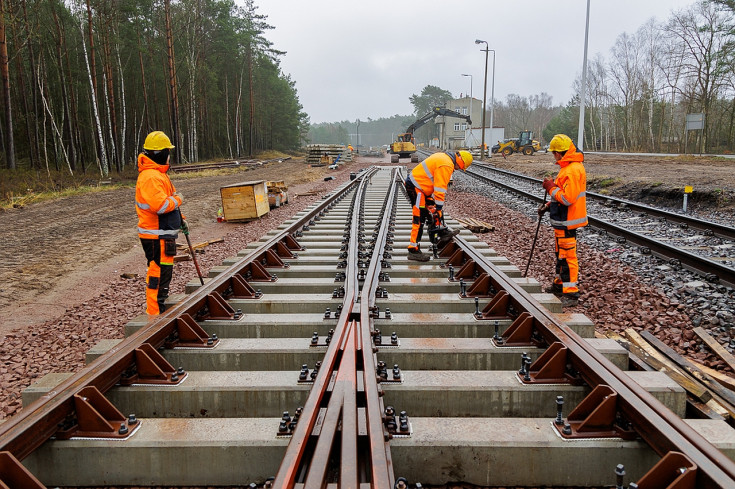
(704,247)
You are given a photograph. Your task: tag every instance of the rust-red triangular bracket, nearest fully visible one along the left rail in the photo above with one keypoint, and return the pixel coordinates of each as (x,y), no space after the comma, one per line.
(96,417)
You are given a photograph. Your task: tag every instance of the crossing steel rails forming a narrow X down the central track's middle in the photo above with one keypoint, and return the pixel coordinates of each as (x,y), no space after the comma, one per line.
(346,359)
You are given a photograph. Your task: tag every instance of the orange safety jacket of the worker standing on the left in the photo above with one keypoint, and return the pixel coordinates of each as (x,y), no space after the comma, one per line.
(158,209)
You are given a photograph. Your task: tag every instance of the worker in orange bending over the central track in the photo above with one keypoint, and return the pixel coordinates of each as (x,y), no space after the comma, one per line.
(427,187)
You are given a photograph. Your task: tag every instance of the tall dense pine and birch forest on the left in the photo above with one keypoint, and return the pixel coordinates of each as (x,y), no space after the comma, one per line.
(85,81)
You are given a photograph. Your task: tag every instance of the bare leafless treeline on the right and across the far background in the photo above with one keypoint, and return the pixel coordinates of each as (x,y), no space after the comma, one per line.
(638,96)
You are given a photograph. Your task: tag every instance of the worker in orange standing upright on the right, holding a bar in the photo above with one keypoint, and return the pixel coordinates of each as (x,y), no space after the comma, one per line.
(568,206)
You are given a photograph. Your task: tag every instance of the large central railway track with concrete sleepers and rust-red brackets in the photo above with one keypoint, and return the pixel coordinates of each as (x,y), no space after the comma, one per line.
(320,357)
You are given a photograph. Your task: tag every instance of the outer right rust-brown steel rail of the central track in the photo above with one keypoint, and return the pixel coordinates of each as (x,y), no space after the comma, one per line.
(655,423)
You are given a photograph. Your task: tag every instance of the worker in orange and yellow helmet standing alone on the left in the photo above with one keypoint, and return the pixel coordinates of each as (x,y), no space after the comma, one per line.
(159,217)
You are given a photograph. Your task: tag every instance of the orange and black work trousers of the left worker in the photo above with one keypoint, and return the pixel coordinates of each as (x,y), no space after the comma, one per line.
(159,254)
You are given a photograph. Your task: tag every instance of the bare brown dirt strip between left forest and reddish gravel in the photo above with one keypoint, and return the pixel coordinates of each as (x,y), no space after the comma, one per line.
(60,253)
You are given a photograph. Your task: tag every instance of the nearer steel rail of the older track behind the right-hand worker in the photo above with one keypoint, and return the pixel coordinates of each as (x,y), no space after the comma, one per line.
(697,264)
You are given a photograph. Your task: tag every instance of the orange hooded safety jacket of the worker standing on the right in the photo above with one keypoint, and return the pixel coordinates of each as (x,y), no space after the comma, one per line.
(568,208)
